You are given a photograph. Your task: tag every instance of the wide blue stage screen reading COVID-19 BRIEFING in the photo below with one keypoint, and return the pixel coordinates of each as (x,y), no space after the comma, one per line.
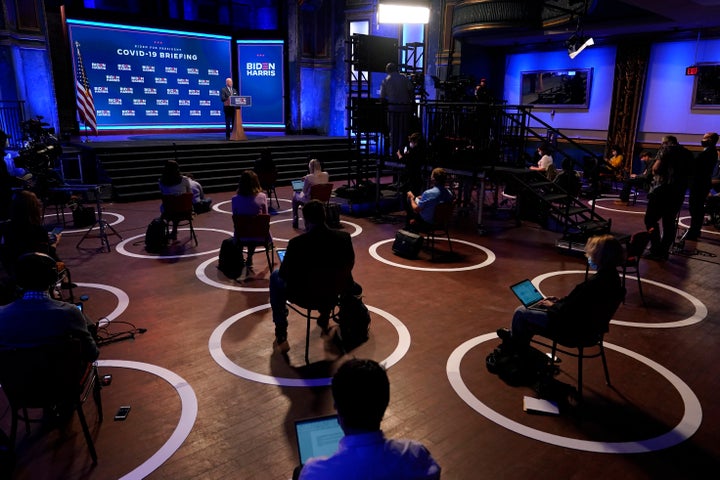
(145,78)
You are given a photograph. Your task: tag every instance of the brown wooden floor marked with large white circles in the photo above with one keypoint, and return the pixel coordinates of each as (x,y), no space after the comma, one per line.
(210,400)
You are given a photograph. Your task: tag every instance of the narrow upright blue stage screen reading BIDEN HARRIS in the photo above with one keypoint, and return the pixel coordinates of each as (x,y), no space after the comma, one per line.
(260,67)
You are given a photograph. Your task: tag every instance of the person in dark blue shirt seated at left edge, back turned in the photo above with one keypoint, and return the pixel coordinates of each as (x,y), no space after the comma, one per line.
(35,318)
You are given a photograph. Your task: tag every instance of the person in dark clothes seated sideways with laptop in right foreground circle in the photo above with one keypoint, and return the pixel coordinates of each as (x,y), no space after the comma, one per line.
(567,314)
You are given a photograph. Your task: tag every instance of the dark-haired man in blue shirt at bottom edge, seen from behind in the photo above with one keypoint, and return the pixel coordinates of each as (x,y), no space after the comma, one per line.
(361,391)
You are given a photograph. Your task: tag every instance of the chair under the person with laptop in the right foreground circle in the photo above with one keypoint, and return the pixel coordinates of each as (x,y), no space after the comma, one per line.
(598,322)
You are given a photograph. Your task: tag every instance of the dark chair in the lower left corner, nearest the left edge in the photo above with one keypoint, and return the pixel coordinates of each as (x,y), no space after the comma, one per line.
(47,377)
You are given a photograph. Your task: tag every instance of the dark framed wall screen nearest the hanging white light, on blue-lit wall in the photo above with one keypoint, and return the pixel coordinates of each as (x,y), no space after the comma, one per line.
(564,88)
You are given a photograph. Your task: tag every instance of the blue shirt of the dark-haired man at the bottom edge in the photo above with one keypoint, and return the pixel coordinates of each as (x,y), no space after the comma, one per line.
(372,456)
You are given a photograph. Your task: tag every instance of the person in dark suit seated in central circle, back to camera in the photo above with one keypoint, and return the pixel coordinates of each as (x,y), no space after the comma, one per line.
(317,267)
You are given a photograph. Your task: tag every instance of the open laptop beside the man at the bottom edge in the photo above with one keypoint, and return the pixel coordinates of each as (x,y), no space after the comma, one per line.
(317,437)
